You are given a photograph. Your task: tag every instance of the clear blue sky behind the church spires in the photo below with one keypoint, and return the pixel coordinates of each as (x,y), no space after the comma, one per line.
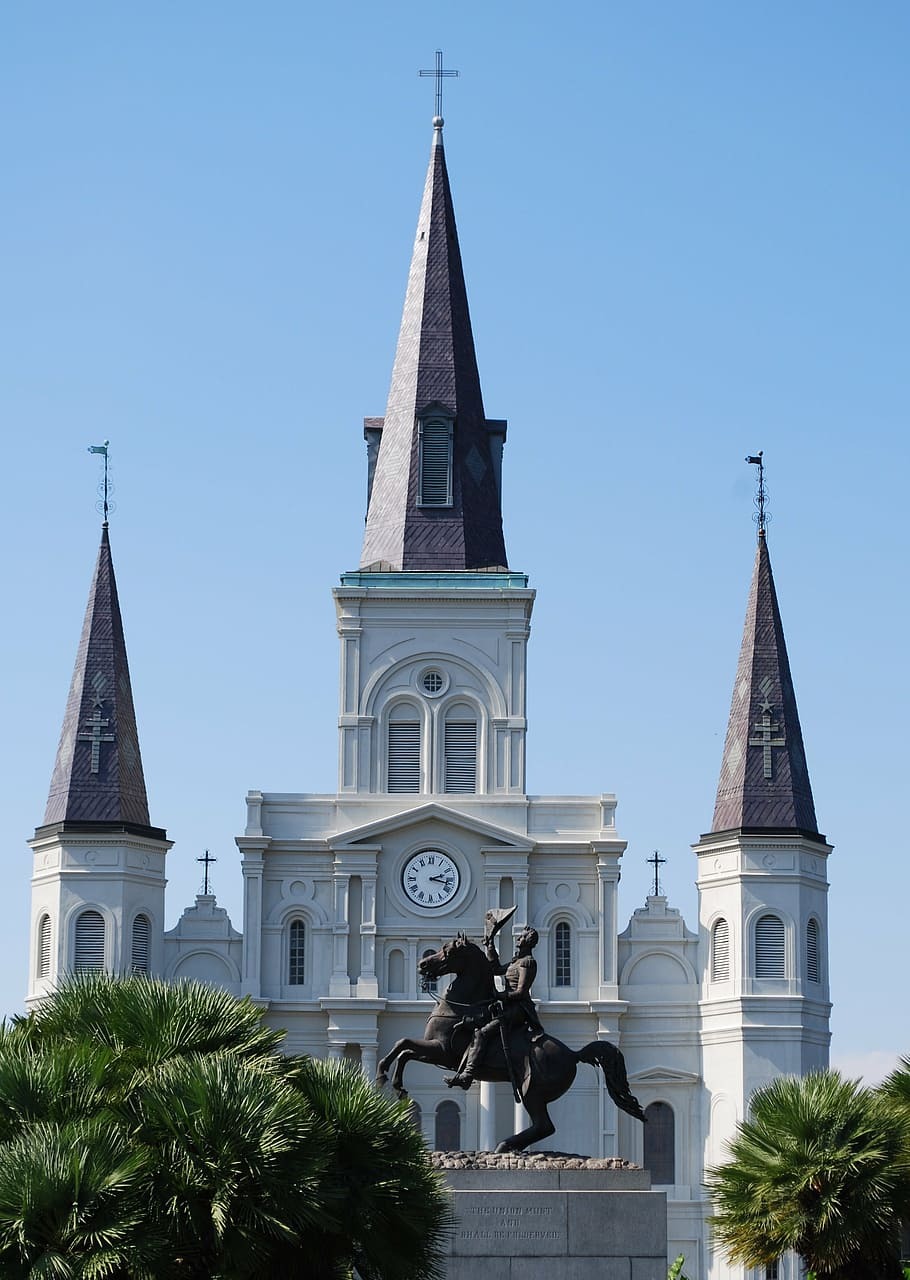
(685,236)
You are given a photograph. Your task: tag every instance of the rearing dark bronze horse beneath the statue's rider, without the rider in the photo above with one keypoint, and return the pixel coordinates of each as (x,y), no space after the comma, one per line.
(543,1068)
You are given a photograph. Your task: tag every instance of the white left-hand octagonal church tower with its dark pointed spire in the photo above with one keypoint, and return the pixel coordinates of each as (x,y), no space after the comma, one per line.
(98,880)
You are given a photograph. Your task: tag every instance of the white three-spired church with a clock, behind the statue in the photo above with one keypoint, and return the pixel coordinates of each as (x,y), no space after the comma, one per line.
(433,629)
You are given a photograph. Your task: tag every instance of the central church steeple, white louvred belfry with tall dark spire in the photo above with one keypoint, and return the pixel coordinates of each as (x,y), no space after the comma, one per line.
(433,624)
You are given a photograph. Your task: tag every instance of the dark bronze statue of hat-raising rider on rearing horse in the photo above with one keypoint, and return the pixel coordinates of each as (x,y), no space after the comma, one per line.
(483,1034)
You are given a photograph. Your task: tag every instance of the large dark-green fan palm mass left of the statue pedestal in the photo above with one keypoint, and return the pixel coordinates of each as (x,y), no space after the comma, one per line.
(153,1130)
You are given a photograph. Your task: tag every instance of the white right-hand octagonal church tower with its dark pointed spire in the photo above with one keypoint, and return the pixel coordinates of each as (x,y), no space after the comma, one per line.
(763,892)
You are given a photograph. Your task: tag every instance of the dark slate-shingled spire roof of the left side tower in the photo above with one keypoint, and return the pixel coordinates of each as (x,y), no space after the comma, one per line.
(98,779)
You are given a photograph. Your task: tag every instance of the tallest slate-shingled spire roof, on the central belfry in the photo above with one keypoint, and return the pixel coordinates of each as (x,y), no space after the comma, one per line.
(436,369)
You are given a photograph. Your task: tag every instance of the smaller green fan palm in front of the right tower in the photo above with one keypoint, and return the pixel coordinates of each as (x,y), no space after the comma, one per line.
(822,1169)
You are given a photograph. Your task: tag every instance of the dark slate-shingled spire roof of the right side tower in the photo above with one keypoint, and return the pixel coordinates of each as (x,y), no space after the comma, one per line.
(765,781)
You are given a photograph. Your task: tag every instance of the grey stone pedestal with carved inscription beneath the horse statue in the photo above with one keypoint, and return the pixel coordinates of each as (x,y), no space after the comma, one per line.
(554,1218)
